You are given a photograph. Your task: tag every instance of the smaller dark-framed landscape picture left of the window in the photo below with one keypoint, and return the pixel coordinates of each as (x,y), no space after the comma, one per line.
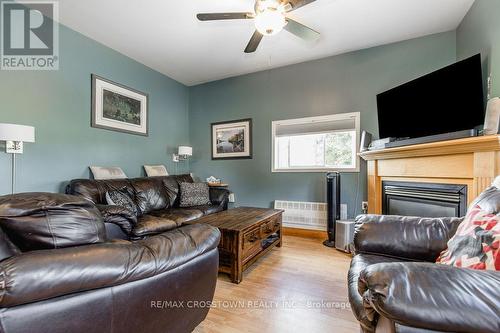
(232,139)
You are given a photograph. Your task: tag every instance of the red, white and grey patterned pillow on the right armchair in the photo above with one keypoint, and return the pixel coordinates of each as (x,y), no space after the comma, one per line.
(476,242)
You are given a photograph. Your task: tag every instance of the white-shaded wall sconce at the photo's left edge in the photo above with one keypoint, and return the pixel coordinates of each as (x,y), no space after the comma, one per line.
(14,136)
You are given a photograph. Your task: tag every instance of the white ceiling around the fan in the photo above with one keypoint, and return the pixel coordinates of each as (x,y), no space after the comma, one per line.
(166,36)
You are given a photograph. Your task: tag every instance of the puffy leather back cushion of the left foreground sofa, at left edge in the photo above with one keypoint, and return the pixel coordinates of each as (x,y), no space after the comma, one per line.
(36,221)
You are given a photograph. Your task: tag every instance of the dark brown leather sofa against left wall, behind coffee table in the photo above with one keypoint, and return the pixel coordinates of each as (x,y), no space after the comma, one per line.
(157,199)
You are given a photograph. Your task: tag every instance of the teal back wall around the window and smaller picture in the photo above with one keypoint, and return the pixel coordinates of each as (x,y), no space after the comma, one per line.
(344,83)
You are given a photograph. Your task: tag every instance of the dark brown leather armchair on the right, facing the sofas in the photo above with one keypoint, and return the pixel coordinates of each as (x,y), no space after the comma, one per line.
(395,286)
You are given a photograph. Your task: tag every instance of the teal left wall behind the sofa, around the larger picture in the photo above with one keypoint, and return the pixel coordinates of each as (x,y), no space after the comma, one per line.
(58,104)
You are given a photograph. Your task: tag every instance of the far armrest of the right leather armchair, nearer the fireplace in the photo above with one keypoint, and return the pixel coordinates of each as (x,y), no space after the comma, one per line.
(406,237)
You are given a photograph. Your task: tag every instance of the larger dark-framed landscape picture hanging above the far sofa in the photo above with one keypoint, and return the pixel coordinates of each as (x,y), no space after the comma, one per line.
(119,108)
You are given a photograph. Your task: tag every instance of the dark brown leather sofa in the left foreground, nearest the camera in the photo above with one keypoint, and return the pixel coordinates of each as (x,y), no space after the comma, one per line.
(60,270)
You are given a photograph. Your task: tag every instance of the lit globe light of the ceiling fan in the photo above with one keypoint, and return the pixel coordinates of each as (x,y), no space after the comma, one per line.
(270,18)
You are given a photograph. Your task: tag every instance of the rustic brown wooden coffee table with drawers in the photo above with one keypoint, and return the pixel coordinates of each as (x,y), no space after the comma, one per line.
(247,234)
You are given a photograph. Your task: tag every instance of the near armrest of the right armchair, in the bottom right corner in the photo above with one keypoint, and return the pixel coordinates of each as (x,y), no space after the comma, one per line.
(433,296)
